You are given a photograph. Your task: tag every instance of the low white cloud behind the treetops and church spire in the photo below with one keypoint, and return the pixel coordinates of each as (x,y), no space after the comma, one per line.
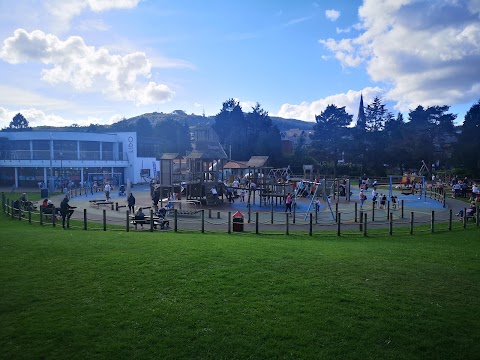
(306,111)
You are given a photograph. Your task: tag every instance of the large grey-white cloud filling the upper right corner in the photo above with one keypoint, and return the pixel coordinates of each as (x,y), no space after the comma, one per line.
(428,60)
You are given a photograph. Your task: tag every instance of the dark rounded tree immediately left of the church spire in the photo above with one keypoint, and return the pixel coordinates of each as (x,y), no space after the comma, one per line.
(330,138)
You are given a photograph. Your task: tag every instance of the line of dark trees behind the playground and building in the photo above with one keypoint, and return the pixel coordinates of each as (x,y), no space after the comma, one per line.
(379,143)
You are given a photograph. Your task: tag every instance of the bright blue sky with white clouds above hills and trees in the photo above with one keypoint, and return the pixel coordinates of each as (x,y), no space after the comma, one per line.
(65,62)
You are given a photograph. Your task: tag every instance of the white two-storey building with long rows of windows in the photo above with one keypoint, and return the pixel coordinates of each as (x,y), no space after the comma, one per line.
(33,158)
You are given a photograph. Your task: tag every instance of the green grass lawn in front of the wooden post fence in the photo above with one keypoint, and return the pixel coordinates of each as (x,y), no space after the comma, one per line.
(84,294)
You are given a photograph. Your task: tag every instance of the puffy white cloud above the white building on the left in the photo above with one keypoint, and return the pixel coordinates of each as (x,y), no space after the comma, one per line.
(86,68)
